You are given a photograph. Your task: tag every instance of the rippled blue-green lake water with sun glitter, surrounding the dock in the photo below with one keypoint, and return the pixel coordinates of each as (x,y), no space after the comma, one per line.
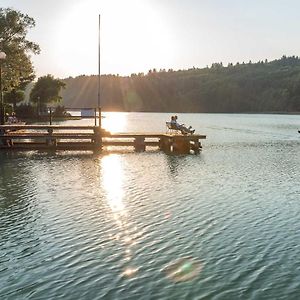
(106,226)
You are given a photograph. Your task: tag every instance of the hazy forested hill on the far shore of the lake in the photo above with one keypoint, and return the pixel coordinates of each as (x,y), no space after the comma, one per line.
(244,87)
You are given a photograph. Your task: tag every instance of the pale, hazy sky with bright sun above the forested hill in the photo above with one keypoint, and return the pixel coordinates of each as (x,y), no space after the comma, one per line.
(139,35)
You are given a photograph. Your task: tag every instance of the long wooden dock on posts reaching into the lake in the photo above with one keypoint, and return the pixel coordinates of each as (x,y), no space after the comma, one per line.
(56,137)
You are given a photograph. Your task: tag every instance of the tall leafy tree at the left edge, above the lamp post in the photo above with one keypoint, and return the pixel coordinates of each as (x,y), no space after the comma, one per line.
(17,67)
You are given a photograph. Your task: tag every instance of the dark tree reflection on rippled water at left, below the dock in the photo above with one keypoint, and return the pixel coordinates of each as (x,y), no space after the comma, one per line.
(17,210)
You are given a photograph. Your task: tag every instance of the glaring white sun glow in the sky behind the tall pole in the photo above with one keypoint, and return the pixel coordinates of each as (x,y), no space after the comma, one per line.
(134,37)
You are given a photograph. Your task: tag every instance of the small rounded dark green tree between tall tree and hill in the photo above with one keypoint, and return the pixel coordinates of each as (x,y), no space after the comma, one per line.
(46,90)
